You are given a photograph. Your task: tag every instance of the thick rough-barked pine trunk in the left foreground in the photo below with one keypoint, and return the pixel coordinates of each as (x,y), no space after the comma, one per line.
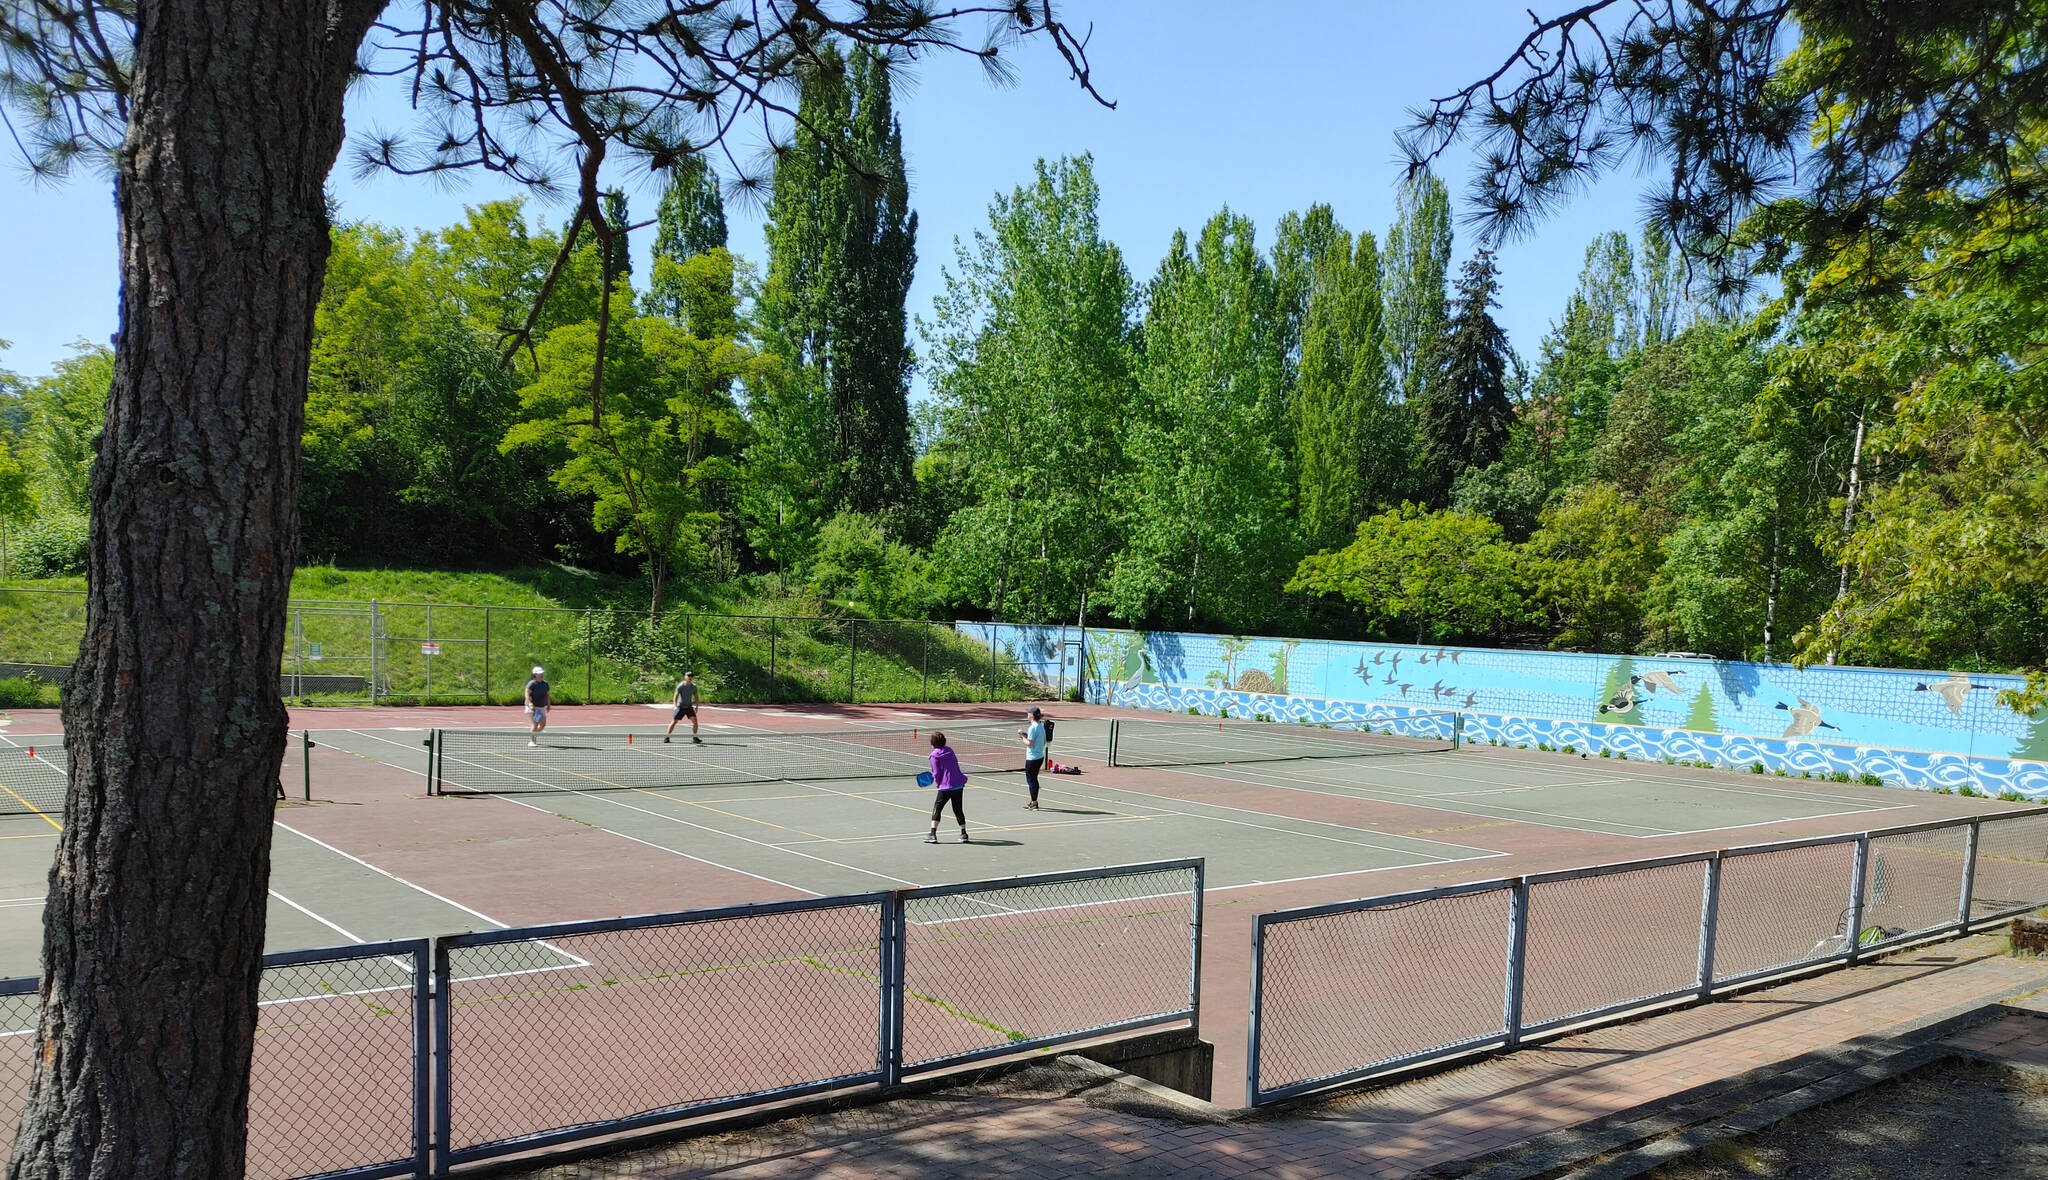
(153,943)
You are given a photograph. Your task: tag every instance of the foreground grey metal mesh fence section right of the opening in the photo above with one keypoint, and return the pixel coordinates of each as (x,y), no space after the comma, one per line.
(1361,988)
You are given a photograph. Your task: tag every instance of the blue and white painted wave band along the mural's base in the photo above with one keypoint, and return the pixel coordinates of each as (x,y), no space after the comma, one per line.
(1639,743)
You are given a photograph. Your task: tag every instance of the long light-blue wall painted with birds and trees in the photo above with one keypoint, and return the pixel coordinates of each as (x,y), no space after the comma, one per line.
(1908,728)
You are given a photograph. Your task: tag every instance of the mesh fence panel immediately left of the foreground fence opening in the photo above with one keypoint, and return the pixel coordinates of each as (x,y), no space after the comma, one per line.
(996,968)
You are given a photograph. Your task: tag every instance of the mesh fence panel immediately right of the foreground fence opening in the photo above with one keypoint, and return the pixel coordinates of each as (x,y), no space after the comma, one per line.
(1349,991)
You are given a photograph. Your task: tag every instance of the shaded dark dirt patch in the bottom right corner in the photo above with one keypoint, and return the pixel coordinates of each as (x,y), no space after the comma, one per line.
(1955,1118)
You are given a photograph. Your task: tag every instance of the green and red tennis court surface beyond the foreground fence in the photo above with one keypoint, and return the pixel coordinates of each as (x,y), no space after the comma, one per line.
(603,818)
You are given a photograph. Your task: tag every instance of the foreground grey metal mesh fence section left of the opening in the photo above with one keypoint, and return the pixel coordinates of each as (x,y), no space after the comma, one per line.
(415,1058)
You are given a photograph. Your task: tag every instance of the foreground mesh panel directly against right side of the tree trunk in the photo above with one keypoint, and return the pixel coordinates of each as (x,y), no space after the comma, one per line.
(339,1074)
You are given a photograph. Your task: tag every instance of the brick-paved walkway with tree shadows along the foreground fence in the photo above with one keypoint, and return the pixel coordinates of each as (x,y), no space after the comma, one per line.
(1062,1120)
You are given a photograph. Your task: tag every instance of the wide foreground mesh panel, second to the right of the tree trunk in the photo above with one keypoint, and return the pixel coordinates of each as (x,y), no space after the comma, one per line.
(560,1034)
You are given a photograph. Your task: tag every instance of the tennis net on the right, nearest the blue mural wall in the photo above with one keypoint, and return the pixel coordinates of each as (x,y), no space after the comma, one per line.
(1138,743)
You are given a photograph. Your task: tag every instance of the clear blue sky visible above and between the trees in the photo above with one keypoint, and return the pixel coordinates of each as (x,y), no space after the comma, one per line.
(1261,108)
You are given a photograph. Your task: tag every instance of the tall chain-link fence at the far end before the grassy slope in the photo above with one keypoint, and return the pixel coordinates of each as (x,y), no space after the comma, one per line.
(419,652)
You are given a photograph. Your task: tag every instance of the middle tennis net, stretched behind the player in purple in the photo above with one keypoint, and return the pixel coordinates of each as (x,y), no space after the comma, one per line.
(503,763)
